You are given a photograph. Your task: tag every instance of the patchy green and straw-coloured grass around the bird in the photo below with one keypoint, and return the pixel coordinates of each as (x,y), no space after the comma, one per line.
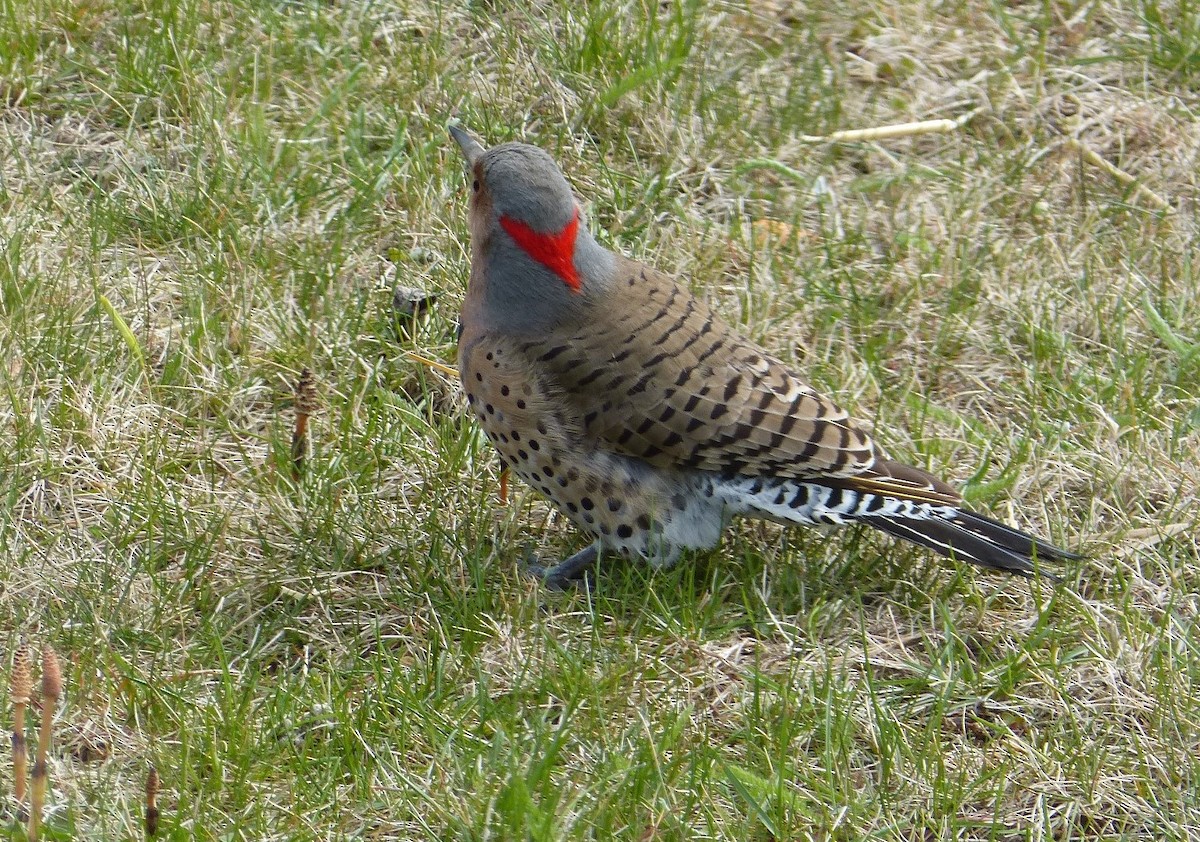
(199,199)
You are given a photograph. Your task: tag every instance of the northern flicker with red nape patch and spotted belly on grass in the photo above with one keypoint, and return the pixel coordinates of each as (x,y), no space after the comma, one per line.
(647,420)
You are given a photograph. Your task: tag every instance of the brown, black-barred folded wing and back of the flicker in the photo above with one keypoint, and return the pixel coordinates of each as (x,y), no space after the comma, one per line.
(658,376)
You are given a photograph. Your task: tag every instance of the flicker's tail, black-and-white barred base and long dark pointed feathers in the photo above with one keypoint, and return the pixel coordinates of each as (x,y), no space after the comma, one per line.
(915,508)
